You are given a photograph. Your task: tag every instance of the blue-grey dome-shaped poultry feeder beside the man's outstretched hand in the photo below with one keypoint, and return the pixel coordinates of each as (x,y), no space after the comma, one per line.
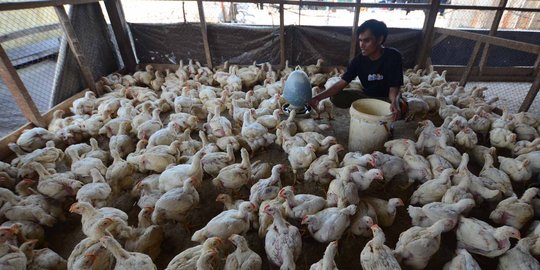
(297,92)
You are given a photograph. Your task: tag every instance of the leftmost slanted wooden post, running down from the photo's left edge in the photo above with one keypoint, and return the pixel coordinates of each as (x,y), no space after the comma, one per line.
(18,90)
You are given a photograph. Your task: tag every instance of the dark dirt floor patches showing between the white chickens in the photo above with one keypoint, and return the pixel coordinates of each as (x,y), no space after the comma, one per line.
(63,237)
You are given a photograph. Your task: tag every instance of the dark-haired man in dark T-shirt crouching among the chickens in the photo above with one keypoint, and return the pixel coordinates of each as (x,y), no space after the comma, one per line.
(379,69)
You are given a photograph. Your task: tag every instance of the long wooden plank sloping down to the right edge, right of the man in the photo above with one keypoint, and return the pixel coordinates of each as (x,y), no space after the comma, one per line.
(510,44)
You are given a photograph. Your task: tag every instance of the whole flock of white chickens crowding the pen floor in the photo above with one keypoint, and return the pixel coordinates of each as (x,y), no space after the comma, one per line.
(140,142)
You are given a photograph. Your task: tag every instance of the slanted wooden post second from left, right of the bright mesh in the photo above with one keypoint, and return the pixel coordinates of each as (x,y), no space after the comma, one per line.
(75,46)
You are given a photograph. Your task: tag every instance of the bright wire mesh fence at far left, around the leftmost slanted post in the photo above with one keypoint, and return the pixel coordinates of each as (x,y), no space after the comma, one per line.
(31,39)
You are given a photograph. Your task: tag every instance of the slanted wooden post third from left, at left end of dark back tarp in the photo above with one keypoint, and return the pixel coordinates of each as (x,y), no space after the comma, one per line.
(119,26)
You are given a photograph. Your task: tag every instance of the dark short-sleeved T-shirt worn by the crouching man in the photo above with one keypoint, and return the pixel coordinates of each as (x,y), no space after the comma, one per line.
(377,76)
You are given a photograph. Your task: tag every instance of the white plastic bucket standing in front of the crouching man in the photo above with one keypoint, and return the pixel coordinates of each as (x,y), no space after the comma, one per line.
(370,125)
